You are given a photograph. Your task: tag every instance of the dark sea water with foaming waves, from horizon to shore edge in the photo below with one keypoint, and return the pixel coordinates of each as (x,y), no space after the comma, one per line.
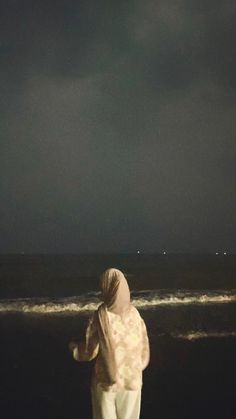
(69,284)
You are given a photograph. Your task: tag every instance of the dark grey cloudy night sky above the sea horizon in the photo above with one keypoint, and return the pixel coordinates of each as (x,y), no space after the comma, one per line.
(117,125)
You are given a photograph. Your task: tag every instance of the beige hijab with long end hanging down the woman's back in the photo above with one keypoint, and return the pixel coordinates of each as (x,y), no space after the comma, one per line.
(116,298)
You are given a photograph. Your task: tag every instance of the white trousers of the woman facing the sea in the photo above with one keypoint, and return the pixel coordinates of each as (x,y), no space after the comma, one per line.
(123,404)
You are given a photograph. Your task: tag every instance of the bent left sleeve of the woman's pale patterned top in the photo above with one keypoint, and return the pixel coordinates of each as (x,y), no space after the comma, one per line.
(88,350)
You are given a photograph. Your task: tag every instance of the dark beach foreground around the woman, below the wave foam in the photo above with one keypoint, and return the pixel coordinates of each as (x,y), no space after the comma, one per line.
(39,378)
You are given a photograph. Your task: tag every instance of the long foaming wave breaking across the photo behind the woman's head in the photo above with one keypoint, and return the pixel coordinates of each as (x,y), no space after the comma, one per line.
(144,300)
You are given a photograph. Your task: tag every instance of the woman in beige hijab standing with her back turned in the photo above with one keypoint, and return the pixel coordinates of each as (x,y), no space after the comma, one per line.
(117,336)
